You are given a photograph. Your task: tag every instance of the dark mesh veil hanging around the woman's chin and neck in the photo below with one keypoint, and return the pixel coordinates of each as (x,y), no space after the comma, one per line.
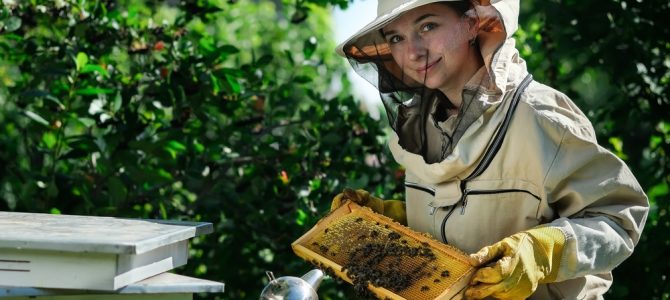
(424,119)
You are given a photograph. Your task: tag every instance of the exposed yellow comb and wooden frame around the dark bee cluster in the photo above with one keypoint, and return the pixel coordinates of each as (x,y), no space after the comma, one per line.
(313,248)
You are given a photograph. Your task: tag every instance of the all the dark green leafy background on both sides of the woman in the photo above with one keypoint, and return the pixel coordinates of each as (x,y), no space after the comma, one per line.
(229,112)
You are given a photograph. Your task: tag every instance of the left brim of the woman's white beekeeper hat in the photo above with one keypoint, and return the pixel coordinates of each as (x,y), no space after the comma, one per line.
(368,39)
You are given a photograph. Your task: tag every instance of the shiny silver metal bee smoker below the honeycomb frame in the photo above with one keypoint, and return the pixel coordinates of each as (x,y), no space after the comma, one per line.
(293,288)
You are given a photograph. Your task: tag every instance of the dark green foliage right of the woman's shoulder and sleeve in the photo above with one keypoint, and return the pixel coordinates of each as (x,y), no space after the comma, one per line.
(612,58)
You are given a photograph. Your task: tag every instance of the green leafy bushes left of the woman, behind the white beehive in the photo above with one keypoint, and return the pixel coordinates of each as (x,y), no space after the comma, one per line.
(220,112)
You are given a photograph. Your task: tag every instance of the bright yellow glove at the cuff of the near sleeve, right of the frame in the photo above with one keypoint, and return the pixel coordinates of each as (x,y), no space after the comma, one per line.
(521,261)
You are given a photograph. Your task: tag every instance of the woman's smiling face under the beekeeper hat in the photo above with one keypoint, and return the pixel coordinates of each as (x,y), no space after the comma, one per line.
(431,44)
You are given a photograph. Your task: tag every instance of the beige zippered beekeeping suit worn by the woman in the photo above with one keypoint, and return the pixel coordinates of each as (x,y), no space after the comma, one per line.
(546,168)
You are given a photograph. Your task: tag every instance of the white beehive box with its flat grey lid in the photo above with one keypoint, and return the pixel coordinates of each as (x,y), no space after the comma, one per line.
(89,253)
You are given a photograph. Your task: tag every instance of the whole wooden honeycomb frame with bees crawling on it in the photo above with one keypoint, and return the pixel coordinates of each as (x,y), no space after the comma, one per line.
(382,258)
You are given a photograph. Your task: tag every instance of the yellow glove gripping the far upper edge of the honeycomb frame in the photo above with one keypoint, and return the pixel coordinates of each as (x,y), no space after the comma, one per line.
(394,209)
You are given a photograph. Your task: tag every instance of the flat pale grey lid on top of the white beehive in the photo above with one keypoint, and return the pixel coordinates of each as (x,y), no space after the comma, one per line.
(71,233)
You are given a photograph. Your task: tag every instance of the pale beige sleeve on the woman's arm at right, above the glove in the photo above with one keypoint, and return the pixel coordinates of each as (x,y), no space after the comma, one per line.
(601,207)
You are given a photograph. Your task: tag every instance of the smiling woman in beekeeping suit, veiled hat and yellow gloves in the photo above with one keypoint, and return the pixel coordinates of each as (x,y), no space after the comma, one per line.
(496,164)
